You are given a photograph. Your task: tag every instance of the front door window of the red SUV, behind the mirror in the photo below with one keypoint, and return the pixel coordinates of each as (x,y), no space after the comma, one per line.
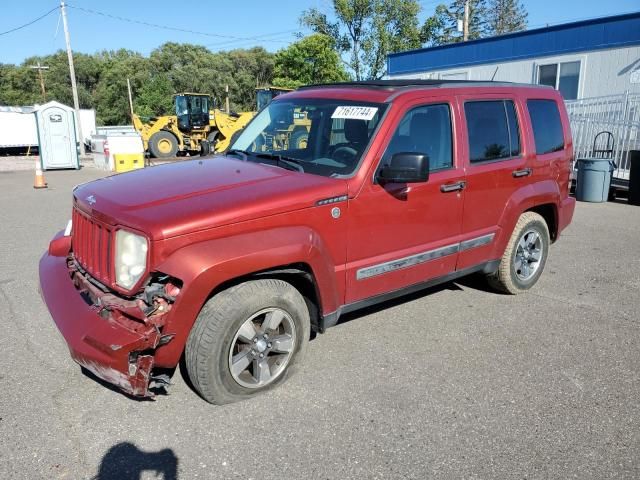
(425,130)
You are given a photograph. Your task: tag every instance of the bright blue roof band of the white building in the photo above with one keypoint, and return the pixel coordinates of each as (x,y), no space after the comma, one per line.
(588,35)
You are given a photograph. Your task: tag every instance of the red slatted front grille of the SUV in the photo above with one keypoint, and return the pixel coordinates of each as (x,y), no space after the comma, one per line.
(91,244)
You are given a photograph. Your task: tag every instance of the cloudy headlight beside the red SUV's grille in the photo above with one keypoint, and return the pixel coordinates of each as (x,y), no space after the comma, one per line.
(131,258)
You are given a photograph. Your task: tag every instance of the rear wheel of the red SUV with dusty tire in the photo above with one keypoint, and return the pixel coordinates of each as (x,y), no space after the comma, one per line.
(524,258)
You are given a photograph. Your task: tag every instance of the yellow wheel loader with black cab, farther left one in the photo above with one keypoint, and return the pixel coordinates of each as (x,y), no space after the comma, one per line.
(194,122)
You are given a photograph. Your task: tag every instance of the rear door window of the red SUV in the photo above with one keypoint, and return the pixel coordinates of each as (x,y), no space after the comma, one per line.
(493,130)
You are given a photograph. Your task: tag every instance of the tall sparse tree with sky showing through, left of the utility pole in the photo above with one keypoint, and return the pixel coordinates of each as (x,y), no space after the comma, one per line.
(366,31)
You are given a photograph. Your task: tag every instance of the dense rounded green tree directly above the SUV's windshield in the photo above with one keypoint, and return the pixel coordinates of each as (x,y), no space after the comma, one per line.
(310,60)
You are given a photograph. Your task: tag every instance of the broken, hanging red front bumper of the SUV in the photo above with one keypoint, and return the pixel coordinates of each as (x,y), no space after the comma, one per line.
(101,338)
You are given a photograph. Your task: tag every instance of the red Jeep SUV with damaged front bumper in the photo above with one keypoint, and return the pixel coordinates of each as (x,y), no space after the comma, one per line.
(231,261)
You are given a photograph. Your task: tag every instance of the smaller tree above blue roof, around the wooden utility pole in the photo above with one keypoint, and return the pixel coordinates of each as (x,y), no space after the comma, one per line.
(442,27)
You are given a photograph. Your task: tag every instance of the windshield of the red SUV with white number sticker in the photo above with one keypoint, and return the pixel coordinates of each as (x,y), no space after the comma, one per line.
(319,136)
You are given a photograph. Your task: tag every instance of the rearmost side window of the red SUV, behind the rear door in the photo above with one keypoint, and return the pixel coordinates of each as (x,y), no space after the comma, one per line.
(546,124)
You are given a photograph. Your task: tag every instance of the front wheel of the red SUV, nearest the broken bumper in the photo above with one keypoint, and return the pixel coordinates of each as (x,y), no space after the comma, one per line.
(220,336)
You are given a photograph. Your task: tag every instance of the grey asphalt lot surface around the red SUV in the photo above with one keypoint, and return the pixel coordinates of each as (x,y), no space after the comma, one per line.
(454,383)
